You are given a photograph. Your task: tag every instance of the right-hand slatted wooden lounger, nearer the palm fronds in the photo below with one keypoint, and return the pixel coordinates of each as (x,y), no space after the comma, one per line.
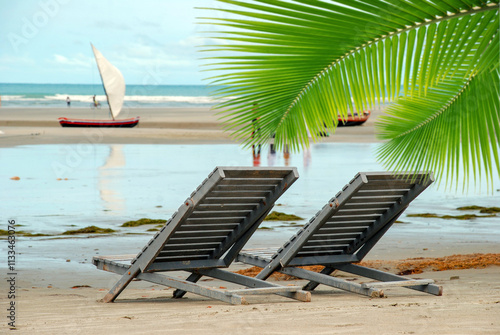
(344,231)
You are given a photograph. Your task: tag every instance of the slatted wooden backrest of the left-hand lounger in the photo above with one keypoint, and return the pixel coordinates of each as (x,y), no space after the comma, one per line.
(219,212)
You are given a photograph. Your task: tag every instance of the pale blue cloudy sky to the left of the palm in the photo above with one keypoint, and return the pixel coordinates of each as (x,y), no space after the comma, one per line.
(150,41)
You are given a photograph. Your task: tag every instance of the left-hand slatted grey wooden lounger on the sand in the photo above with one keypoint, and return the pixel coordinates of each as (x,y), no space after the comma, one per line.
(206,234)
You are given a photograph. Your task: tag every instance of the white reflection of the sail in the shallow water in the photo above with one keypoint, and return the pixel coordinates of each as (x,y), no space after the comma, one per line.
(108,174)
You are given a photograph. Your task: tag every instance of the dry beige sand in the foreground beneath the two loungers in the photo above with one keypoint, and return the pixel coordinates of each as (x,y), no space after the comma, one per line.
(470,305)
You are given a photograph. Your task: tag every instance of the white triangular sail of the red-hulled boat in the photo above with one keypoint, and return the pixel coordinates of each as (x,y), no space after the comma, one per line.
(113,82)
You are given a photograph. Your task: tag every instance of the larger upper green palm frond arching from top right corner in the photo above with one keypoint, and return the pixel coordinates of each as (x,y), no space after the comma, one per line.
(295,66)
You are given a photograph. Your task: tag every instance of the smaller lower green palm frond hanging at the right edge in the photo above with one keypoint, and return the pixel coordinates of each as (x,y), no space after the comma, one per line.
(448,140)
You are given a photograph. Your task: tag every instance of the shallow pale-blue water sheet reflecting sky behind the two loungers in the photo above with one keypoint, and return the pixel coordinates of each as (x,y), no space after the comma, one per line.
(106,185)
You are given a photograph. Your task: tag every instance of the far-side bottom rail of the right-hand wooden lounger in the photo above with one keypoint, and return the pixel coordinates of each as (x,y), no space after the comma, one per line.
(385,277)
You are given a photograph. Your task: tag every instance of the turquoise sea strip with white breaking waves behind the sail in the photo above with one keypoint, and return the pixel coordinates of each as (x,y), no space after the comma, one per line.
(54,95)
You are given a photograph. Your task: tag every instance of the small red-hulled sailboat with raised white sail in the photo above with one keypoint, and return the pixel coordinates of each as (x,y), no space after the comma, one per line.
(114,86)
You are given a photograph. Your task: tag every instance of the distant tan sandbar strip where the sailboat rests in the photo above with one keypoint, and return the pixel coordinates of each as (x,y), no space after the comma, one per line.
(31,126)
